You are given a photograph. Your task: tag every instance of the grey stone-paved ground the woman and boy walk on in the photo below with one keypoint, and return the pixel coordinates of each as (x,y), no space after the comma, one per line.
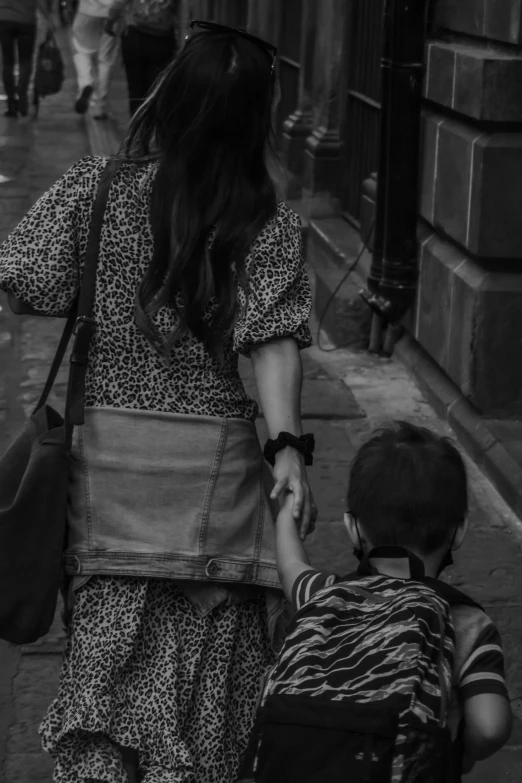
(346,394)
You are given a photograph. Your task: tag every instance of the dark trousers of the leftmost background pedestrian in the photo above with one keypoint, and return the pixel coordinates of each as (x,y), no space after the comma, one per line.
(20,37)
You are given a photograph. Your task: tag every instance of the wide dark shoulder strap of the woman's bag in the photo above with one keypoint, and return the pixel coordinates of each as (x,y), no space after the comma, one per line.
(84,323)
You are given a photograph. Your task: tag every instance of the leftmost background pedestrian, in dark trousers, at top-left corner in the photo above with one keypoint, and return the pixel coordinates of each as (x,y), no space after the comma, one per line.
(17,40)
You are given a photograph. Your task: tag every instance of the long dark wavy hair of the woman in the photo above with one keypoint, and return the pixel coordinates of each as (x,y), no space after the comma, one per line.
(208,123)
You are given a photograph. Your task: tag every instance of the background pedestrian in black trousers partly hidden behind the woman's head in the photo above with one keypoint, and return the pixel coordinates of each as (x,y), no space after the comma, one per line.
(148,41)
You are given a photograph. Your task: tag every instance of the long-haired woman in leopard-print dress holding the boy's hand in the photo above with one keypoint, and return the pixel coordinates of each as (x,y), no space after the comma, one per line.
(174,591)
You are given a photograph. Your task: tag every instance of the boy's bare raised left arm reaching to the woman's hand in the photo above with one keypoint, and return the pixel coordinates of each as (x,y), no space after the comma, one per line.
(291,555)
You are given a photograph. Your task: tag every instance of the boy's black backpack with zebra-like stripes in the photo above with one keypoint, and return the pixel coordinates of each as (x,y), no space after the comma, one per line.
(361,689)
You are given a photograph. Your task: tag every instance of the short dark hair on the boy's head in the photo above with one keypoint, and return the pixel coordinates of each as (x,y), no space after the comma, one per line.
(408,487)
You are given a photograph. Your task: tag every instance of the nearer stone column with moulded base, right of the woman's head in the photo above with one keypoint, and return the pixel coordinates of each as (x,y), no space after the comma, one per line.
(323,148)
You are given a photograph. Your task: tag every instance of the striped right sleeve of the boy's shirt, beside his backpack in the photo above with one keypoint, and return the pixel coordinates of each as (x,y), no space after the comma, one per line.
(483,669)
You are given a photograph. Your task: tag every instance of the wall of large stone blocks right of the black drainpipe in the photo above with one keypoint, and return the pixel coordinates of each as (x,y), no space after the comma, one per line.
(469,307)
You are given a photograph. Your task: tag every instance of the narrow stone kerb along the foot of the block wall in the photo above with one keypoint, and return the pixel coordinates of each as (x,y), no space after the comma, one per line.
(477,440)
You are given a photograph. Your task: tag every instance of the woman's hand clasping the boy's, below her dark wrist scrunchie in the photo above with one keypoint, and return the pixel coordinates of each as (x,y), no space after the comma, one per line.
(290,476)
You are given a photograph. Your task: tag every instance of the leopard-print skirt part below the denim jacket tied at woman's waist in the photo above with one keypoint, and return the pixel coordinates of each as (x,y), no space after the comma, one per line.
(143,669)
